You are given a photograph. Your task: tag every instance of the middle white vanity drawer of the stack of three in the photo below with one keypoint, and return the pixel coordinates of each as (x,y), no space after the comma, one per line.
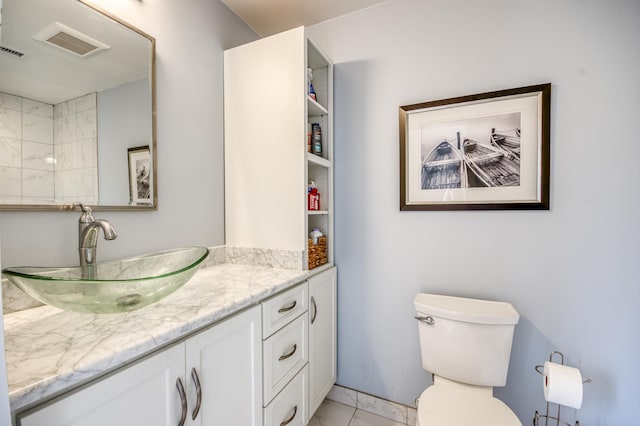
(284,354)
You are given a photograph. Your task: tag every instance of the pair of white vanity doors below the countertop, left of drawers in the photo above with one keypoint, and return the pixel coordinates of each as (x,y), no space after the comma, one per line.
(226,360)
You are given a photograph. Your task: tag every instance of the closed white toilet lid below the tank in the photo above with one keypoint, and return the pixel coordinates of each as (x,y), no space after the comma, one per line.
(442,405)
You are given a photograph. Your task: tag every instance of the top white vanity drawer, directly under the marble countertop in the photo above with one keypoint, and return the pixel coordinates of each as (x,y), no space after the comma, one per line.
(279,310)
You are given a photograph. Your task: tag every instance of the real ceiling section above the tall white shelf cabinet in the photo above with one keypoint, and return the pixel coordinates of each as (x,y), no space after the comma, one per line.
(267,17)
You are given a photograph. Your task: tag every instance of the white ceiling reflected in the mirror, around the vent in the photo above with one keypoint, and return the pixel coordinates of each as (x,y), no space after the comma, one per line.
(52,75)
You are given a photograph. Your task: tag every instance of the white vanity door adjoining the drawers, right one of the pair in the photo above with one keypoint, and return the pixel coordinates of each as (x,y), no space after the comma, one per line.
(227,360)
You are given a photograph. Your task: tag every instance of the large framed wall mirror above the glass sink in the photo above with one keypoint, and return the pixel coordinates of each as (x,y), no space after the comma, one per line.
(77,108)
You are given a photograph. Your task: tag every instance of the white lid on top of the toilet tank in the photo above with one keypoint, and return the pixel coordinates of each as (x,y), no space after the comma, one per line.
(467,310)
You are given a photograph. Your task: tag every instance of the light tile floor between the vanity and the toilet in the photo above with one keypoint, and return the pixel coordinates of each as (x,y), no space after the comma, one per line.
(331,413)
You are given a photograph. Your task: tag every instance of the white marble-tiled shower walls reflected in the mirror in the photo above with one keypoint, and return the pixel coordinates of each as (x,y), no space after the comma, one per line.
(48,152)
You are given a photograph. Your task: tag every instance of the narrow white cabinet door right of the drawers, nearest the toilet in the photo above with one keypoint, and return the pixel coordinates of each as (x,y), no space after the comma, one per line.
(322,336)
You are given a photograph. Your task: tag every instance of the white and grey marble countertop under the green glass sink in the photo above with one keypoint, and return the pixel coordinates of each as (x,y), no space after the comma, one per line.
(49,350)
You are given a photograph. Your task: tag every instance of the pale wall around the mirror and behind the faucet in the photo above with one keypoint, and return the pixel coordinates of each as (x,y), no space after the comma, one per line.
(190,38)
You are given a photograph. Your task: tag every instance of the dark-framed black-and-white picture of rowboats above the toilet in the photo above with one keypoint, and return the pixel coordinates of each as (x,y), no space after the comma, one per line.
(478,152)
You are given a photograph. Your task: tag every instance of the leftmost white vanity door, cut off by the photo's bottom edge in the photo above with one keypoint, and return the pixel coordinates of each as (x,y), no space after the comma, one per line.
(143,394)
